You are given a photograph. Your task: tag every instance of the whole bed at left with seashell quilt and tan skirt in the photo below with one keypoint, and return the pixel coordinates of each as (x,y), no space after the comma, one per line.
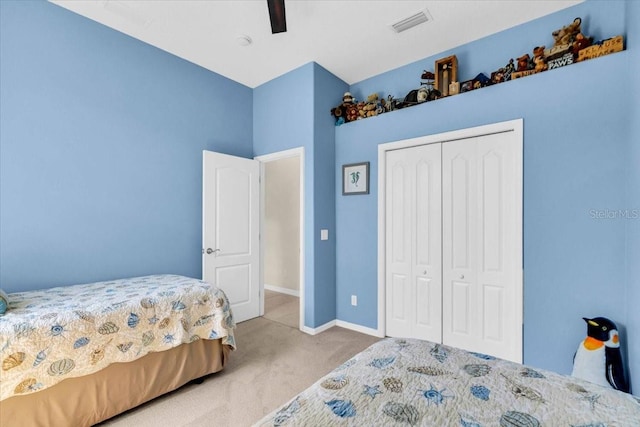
(78,355)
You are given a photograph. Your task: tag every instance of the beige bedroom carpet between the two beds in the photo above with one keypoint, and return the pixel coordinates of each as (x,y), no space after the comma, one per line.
(272,364)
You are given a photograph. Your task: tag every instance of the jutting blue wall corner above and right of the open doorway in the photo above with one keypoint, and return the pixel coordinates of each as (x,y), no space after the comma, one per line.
(293,111)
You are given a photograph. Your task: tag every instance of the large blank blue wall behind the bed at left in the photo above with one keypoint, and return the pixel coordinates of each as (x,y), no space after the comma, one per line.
(101,150)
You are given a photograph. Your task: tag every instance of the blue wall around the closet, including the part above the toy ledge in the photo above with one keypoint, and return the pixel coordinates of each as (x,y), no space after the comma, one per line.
(576,134)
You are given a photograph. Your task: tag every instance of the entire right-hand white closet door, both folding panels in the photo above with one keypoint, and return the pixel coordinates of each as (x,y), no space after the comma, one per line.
(482,245)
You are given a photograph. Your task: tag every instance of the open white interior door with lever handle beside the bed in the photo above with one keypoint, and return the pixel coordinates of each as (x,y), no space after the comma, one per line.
(230,230)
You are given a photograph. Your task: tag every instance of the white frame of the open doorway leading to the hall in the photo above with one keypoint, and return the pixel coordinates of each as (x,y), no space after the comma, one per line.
(294,152)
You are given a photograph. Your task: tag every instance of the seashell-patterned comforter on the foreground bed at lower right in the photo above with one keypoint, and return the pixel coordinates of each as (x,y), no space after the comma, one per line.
(404,382)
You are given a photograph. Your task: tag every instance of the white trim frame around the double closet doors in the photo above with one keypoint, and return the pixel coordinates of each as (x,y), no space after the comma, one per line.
(515,126)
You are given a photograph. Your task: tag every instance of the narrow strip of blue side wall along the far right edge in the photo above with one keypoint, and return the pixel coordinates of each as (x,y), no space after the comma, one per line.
(632,297)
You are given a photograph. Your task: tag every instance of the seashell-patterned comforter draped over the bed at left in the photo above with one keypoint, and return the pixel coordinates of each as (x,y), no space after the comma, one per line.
(49,335)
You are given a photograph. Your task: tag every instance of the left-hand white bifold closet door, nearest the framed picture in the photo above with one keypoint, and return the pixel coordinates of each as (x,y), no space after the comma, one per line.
(413,236)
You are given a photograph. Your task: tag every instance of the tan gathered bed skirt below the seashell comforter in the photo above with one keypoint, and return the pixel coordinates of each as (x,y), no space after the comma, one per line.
(87,400)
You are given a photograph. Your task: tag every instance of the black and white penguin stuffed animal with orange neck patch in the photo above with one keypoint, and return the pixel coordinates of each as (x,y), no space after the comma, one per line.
(598,357)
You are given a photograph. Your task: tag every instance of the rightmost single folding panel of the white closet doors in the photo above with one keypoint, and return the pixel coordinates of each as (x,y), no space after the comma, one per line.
(499,248)
